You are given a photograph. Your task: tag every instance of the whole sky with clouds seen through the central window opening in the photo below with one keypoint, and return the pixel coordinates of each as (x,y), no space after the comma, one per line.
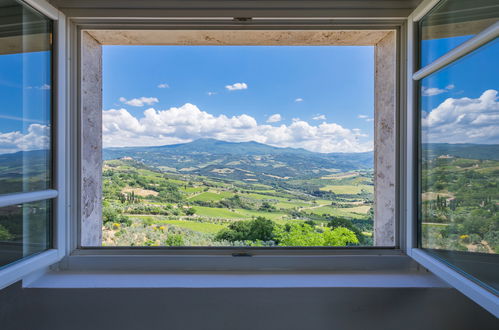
(315,97)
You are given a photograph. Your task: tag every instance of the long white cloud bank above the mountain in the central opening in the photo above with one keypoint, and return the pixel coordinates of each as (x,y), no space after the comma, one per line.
(188,123)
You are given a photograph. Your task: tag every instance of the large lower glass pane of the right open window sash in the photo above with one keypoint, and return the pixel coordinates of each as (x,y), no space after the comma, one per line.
(460,163)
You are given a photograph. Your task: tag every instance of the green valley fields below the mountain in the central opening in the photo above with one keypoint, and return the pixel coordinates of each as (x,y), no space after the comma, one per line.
(154,206)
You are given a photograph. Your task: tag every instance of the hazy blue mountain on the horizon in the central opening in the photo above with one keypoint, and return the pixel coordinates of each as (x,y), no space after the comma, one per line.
(241,160)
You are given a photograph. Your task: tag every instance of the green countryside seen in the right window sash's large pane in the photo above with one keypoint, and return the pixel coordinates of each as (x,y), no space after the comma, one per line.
(460,203)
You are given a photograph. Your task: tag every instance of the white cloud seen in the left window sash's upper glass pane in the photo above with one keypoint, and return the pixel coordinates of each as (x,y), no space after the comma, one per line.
(37,137)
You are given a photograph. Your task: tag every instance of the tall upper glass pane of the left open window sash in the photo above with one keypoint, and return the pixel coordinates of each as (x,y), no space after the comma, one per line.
(25,91)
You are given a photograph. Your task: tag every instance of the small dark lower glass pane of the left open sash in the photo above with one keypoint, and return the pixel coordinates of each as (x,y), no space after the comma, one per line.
(24,230)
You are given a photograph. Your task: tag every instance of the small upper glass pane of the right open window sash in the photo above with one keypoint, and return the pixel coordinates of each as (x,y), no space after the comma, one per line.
(451,23)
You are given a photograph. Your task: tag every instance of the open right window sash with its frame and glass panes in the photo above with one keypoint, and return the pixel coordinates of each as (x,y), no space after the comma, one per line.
(457,139)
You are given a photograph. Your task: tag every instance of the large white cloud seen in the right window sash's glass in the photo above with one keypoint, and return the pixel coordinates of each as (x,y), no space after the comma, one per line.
(464,120)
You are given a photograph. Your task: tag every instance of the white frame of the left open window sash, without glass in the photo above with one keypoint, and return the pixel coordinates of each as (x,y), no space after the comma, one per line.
(19,269)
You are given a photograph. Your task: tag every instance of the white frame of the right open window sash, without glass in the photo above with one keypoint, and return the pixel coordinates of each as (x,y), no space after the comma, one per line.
(465,285)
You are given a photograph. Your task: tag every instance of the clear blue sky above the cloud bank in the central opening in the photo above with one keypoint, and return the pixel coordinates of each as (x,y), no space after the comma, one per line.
(335,81)
